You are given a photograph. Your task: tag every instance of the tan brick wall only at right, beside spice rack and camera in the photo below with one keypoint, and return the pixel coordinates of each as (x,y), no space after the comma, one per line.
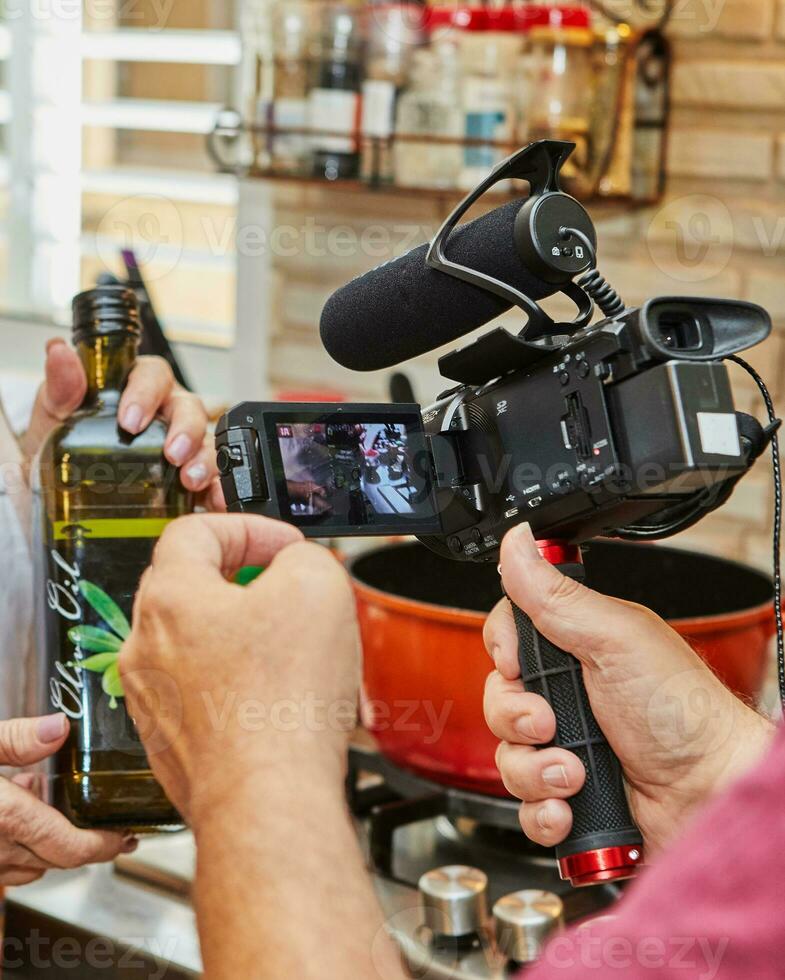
(726,205)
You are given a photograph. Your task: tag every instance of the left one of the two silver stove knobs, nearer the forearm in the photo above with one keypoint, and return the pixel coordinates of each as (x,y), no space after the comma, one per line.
(454,900)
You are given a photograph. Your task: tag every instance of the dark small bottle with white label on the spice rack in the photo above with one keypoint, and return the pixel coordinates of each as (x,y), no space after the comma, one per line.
(334,100)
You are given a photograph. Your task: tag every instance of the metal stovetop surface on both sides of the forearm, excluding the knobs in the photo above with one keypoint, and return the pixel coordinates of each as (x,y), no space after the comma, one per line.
(406,827)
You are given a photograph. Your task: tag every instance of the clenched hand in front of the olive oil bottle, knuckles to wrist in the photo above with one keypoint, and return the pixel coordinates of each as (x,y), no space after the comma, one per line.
(224,682)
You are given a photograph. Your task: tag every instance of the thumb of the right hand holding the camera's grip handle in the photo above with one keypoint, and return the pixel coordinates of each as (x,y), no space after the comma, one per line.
(576,619)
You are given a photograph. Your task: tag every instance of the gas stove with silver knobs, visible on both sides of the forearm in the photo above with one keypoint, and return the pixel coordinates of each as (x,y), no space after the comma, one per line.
(464,894)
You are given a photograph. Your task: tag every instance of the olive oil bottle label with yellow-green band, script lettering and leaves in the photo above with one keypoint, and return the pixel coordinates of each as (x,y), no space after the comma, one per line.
(92,571)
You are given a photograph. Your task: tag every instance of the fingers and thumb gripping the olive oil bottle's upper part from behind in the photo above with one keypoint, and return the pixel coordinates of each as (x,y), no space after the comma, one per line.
(151,390)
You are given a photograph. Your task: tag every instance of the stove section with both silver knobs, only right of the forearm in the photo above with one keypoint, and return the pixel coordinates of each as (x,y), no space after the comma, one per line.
(465,895)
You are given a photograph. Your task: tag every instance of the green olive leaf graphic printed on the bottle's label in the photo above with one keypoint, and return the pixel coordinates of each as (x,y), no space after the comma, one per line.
(104,645)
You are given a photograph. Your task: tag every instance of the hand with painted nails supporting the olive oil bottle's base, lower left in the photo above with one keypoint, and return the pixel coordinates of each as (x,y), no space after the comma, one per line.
(35,838)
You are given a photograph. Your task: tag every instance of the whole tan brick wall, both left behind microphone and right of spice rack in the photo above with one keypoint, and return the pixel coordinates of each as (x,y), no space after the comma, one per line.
(720,230)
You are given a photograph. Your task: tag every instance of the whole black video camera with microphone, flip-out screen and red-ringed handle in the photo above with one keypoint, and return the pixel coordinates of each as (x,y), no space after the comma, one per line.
(624,427)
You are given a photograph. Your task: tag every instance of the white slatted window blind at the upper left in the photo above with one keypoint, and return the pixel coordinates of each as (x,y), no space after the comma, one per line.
(108,151)
